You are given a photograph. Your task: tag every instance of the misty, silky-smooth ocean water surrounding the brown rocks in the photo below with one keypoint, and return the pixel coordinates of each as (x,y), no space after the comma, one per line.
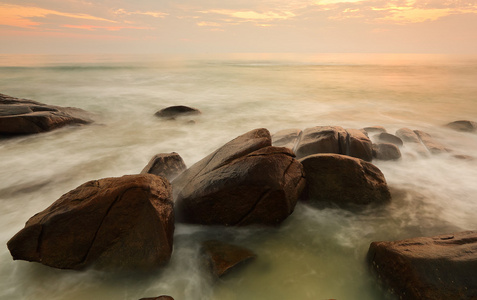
(316,253)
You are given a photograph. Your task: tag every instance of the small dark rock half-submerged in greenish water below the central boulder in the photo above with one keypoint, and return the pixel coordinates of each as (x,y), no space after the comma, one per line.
(223,257)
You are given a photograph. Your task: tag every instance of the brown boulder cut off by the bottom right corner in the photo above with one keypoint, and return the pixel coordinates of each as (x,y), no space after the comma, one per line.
(439,268)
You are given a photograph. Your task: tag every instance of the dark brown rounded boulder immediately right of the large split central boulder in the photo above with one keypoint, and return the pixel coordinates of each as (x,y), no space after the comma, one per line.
(343,181)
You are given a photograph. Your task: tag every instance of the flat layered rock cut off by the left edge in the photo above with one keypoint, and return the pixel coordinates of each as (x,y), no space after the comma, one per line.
(21,116)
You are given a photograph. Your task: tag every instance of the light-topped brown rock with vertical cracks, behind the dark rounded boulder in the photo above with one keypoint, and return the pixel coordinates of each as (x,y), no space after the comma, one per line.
(334,139)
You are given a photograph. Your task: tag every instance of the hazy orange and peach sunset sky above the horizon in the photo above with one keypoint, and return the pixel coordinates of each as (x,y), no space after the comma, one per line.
(238,26)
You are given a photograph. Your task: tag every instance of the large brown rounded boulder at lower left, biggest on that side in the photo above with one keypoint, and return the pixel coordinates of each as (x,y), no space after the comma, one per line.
(111,223)
